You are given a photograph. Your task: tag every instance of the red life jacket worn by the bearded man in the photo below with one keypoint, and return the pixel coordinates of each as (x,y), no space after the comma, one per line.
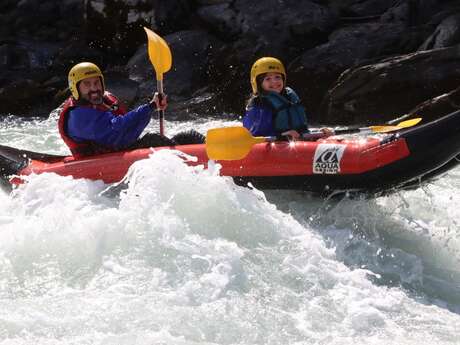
(87,148)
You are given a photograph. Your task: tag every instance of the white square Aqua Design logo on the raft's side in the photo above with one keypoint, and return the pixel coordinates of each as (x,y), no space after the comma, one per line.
(327,159)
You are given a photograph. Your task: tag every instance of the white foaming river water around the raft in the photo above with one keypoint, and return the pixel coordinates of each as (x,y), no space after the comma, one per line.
(179,255)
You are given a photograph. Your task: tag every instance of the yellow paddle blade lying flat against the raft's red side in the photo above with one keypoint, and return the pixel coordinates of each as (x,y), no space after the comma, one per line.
(230,143)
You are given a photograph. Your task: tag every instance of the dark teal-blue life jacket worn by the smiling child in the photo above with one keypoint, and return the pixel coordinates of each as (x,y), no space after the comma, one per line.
(288,113)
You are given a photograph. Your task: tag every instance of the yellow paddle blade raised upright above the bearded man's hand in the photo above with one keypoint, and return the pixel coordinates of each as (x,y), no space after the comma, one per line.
(159,53)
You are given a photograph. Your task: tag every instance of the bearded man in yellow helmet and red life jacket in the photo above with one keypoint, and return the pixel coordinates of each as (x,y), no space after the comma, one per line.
(92,120)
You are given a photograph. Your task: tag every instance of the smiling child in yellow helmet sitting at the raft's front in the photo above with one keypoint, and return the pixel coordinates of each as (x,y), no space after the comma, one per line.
(274,109)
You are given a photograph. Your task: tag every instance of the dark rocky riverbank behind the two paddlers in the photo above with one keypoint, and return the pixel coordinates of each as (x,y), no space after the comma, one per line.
(351,61)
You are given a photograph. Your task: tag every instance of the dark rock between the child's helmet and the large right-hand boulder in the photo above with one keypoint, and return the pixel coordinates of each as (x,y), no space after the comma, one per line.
(318,69)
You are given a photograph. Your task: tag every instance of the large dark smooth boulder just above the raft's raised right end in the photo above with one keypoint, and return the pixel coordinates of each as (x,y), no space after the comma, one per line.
(391,87)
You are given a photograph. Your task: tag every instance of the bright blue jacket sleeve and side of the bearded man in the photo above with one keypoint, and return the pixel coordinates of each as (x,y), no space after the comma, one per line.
(106,128)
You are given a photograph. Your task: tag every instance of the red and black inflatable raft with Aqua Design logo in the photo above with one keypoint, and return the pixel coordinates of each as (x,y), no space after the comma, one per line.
(374,163)
